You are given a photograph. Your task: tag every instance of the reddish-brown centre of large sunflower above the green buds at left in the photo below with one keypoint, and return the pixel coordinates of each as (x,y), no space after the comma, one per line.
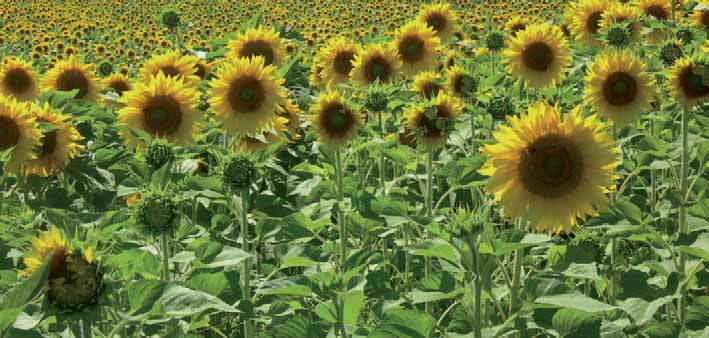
(162,115)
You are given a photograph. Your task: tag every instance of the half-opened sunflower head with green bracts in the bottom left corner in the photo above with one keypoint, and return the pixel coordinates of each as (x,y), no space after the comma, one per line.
(74,280)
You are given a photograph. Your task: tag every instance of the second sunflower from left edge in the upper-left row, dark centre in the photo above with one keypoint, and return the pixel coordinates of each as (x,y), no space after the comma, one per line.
(71,74)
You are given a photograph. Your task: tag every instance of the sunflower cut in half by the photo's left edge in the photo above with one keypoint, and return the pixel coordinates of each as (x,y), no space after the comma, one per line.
(18,129)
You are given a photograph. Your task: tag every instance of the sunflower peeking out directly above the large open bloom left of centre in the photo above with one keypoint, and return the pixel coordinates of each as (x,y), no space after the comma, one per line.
(257,42)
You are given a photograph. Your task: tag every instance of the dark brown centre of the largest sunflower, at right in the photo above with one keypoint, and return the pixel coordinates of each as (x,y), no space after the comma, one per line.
(551,166)
